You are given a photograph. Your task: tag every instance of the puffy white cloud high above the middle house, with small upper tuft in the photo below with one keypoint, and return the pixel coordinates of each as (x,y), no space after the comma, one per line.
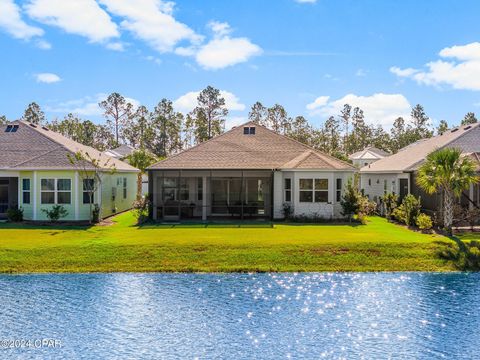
(223,51)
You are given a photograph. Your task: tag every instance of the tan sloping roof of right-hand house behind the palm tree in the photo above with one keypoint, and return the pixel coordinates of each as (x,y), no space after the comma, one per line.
(411,157)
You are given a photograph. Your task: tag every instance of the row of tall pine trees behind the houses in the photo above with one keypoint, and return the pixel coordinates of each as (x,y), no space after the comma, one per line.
(163,131)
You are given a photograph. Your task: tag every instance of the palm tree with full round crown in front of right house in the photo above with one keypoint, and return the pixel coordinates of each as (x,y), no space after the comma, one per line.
(448,171)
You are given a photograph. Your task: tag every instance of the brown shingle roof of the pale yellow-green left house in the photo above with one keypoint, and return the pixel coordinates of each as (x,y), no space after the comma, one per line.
(37,148)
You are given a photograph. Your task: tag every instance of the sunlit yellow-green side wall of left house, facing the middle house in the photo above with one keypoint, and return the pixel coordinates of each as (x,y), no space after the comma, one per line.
(113,200)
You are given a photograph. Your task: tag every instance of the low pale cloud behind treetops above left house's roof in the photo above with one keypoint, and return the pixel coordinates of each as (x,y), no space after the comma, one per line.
(86,106)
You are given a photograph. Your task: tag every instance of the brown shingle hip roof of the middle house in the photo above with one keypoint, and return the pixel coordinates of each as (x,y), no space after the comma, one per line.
(263,150)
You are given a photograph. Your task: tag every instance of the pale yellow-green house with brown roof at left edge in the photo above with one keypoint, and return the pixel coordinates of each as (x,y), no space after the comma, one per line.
(35,174)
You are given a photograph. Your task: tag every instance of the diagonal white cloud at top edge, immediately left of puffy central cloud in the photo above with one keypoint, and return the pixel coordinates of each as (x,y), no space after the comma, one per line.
(153,22)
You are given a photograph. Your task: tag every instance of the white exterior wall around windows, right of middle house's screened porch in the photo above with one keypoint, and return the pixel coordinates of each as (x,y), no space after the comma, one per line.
(330,209)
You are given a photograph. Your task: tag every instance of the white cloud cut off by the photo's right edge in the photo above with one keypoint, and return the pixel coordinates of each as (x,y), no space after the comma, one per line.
(460,71)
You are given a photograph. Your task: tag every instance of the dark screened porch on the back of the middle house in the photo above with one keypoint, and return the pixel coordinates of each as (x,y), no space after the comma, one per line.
(208,195)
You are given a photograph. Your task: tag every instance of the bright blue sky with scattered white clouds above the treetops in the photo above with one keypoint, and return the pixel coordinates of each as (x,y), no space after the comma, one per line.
(311,56)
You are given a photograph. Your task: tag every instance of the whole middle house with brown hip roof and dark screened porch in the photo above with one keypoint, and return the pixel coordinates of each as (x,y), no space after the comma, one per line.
(249,172)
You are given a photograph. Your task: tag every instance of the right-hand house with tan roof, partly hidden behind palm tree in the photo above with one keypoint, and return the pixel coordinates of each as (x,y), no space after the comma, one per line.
(397,173)
